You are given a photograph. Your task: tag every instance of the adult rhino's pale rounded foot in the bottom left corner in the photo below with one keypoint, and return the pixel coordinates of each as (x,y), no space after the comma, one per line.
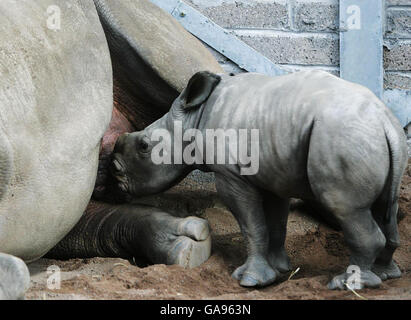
(14,277)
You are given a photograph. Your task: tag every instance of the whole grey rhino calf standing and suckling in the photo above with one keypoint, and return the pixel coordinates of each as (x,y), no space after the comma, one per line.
(322,139)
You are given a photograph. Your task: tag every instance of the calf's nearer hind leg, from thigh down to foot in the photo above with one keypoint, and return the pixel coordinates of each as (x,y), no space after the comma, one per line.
(347,171)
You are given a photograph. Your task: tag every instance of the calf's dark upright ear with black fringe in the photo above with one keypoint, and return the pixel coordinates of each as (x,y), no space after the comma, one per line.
(199,88)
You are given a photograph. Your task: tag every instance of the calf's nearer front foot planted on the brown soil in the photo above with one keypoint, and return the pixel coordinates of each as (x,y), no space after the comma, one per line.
(256,272)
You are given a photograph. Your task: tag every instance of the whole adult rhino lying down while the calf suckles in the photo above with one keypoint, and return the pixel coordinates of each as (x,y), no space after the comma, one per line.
(56,103)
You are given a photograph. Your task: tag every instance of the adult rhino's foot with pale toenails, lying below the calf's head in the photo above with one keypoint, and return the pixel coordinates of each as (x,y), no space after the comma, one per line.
(184,242)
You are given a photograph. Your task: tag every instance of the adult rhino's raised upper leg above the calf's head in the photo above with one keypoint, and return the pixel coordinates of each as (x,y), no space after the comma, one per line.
(153,57)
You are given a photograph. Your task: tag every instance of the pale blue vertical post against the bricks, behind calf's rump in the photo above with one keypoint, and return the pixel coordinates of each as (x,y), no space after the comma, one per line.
(361,43)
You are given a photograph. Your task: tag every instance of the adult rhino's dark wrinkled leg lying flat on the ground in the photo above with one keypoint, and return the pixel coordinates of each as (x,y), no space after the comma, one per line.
(129,231)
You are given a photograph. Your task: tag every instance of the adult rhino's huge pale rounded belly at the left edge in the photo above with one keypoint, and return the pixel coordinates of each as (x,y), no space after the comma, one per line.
(55,105)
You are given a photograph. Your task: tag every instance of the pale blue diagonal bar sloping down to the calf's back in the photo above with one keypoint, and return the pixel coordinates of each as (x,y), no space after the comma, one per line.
(219,39)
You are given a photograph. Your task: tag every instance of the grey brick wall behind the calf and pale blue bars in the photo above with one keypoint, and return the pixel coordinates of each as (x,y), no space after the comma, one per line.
(301,34)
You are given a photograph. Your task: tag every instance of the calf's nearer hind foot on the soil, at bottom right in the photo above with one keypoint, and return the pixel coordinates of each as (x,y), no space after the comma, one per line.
(365,279)
